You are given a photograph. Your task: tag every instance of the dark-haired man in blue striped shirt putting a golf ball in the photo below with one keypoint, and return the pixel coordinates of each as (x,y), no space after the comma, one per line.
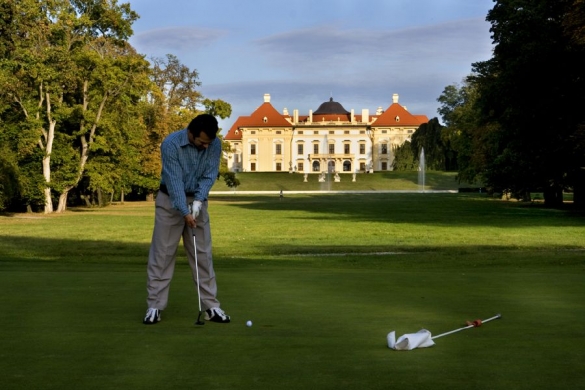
(190,166)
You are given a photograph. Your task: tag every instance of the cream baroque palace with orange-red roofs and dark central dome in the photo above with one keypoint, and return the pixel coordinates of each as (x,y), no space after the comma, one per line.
(330,139)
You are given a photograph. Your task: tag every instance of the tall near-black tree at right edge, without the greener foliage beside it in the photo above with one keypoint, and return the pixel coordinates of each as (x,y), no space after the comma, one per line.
(530,96)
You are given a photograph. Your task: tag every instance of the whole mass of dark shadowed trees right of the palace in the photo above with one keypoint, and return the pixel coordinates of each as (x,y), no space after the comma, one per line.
(516,122)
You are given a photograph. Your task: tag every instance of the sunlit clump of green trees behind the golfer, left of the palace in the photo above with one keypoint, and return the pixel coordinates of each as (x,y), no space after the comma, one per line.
(80,109)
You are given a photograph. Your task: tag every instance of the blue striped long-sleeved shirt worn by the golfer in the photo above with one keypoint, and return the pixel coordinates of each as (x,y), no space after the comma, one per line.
(187,169)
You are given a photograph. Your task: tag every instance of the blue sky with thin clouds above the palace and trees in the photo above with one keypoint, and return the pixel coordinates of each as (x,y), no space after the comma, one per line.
(302,52)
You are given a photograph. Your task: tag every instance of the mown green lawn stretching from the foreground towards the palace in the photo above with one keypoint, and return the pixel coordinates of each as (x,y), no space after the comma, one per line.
(323,278)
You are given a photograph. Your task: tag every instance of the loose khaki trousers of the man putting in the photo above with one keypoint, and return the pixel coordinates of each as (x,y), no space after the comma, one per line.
(169,226)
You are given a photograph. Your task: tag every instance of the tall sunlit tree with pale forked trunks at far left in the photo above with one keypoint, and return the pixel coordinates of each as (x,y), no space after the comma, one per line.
(67,61)
